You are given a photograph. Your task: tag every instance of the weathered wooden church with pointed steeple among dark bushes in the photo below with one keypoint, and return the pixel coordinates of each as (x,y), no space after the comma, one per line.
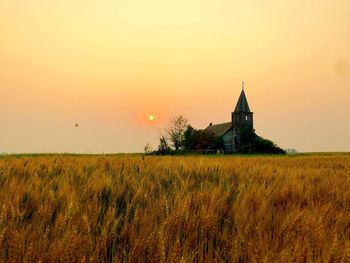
(233,132)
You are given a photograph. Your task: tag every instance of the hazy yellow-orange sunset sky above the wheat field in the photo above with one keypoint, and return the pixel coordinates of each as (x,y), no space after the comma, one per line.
(108,64)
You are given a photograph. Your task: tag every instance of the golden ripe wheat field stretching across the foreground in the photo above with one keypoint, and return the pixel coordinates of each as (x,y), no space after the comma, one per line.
(179,209)
